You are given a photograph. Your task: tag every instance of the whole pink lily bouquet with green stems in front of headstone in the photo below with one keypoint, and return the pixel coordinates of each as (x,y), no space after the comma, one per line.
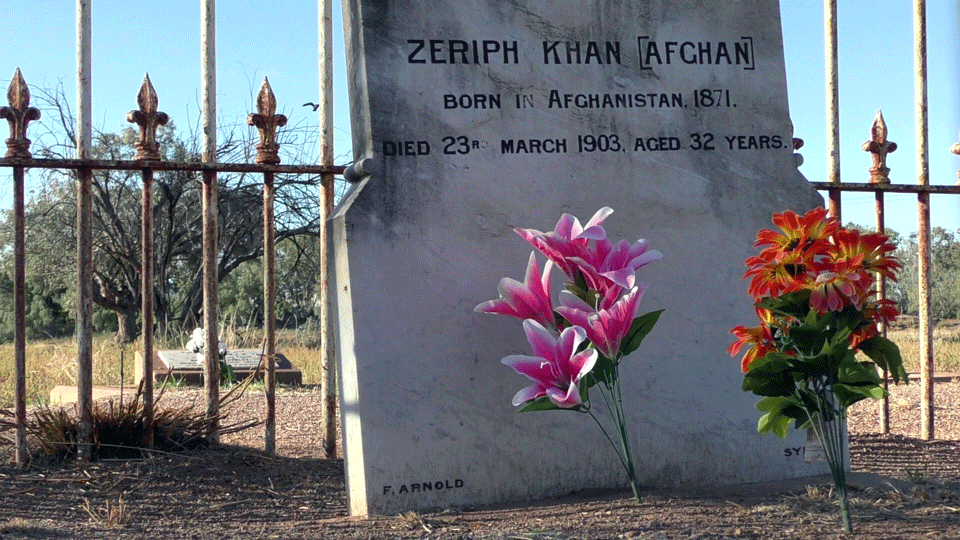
(579,344)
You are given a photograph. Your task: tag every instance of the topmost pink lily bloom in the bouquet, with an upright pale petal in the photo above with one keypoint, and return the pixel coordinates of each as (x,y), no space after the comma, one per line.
(568,239)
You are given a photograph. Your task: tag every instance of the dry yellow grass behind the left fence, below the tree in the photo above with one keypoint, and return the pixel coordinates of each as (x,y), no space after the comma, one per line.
(52,363)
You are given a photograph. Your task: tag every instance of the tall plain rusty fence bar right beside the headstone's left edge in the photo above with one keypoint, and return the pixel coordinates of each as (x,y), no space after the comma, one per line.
(327,354)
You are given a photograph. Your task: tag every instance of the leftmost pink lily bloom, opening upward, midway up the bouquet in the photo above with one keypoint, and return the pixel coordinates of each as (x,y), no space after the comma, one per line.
(527,300)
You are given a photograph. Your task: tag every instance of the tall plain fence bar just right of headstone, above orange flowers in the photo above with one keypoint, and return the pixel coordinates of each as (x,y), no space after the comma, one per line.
(833,103)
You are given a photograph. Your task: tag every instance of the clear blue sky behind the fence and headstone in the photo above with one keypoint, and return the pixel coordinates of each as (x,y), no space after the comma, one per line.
(257,38)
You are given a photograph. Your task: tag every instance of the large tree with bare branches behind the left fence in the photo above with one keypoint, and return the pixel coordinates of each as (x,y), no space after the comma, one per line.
(51,215)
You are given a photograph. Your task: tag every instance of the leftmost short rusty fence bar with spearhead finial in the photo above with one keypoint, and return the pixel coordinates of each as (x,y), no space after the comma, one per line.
(19,114)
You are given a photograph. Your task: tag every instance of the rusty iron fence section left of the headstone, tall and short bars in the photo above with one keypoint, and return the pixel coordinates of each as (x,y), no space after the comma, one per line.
(147,160)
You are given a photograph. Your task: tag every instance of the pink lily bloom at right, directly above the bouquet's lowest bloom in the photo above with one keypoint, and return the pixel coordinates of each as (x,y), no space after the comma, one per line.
(607,324)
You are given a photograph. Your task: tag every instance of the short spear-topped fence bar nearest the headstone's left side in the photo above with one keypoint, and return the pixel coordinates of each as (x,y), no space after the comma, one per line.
(267,121)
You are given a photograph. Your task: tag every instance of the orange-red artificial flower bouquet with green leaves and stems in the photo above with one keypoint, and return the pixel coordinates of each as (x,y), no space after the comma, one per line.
(812,286)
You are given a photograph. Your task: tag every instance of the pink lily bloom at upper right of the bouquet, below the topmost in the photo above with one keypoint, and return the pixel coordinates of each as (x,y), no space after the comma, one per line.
(608,264)
